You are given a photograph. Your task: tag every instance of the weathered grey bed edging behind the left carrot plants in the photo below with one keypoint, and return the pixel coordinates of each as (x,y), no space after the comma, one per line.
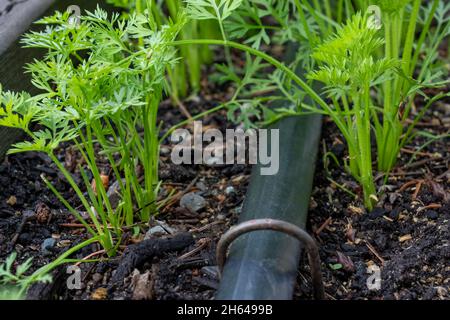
(16,17)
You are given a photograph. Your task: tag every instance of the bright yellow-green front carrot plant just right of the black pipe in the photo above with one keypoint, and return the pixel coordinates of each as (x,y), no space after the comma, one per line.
(349,71)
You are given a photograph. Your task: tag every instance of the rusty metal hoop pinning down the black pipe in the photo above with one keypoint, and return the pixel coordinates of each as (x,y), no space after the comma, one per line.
(280,226)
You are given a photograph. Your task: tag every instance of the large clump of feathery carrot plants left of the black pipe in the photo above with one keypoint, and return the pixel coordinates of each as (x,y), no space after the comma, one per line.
(101,85)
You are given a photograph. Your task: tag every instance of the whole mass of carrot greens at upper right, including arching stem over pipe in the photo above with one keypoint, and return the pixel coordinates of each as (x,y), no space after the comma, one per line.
(354,62)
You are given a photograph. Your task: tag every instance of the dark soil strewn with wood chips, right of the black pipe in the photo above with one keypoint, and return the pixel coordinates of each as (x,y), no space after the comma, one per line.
(406,236)
